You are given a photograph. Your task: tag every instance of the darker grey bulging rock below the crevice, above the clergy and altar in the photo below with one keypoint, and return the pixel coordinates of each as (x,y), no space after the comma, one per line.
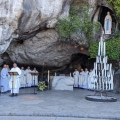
(44,46)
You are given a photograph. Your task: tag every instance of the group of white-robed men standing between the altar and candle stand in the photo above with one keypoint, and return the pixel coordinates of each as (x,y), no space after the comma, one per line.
(84,78)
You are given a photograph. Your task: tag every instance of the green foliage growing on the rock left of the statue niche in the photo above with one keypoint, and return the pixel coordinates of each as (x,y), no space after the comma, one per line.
(79,23)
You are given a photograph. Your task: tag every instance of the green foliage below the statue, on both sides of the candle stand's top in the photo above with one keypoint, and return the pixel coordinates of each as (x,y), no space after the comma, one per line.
(112,49)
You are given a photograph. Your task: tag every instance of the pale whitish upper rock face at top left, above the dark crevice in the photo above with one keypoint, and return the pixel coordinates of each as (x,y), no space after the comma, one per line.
(18,17)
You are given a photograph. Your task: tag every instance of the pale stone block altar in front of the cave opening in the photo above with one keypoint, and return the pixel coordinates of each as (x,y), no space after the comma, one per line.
(62,83)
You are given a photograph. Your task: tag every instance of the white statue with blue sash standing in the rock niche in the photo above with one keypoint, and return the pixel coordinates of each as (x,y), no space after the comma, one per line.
(108,23)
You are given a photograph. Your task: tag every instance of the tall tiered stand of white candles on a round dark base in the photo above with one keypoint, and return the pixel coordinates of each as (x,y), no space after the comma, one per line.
(103,77)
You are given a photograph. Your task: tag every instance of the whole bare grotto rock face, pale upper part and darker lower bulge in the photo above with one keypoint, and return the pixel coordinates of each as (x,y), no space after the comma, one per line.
(33,22)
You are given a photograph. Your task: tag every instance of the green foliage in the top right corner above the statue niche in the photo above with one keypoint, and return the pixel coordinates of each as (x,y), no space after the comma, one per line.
(116,5)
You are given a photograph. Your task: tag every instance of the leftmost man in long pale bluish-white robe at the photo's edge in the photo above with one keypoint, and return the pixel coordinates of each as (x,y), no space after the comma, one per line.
(4,79)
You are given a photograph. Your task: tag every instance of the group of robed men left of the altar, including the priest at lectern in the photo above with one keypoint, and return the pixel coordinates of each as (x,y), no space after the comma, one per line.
(23,79)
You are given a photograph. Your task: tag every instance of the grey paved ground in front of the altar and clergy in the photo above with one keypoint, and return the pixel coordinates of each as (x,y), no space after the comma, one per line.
(54,105)
